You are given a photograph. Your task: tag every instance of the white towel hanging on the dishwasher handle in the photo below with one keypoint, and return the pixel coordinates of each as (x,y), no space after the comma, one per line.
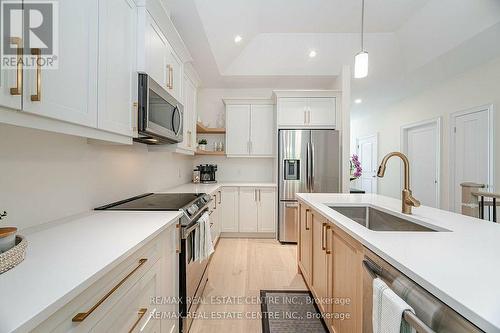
(388,310)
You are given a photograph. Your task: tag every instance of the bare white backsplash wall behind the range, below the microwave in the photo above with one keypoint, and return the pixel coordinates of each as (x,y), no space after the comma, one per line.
(46,176)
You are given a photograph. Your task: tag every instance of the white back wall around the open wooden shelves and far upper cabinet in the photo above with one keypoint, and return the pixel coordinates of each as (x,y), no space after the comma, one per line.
(211,109)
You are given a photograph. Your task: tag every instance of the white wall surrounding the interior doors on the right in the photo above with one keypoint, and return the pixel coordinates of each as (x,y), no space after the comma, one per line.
(476,87)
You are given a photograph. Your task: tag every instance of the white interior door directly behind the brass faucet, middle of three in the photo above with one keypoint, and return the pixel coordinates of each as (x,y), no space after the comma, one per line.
(421,143)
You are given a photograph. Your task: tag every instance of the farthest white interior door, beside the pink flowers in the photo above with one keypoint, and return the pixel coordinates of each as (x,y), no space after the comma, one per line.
(368,156)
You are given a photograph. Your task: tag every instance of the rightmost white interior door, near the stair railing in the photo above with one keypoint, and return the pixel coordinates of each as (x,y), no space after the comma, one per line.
(471,151)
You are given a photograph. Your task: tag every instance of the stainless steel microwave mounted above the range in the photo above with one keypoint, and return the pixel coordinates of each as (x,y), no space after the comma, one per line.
(160,114)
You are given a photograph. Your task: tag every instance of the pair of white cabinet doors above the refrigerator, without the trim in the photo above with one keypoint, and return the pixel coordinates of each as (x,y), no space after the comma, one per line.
(315,112)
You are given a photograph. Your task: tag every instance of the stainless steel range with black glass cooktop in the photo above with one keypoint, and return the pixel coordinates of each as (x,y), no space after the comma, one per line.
(192,274)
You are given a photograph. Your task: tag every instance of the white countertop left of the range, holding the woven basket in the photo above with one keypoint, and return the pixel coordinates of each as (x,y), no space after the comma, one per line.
(64,259)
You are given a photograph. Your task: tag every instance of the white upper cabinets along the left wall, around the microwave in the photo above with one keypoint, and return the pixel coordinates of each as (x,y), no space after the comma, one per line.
(92,90)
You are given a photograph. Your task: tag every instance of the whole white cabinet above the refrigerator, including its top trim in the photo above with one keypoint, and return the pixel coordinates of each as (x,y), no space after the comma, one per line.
(308,109)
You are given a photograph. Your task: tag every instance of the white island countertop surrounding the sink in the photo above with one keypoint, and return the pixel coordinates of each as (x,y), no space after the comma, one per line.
(461,267)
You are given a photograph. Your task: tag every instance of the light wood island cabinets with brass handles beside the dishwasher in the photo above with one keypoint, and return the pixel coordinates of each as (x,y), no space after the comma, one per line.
(331,263)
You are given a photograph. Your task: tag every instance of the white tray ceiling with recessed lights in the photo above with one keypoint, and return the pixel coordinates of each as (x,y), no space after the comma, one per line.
(403,37)
